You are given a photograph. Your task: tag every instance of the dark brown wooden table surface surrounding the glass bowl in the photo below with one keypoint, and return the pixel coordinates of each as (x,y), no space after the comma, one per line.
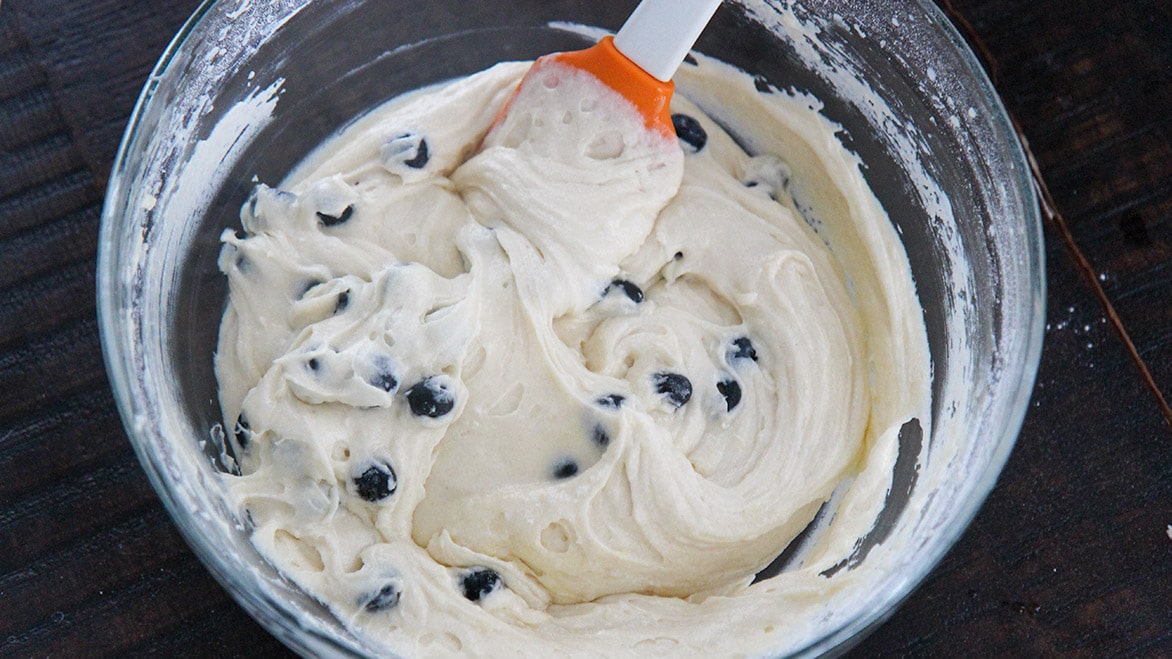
(1071,555)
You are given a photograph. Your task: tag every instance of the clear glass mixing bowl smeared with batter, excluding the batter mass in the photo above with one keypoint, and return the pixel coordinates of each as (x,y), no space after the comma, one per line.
(248,90)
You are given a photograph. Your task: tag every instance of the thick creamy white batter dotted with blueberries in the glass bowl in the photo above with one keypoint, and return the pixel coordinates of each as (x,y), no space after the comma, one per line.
(565,388)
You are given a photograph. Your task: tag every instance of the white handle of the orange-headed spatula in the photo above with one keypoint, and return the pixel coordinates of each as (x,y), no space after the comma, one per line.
(660,33)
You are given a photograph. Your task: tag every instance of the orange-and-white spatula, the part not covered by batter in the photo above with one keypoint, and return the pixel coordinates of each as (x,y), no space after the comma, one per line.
(640,62)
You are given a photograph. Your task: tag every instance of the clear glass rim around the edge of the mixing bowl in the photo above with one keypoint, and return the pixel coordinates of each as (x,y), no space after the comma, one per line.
(117,332)
